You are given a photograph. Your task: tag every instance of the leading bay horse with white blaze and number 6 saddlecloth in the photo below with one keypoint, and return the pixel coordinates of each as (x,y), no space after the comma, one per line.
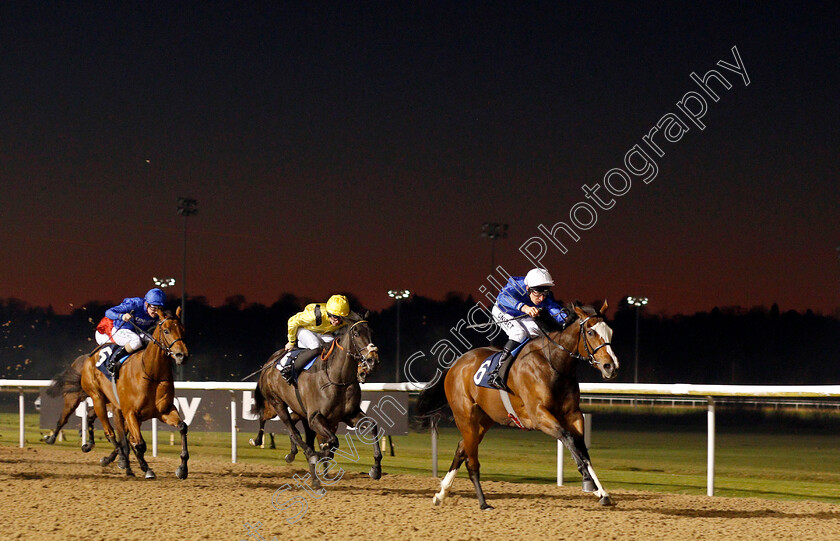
(545,394)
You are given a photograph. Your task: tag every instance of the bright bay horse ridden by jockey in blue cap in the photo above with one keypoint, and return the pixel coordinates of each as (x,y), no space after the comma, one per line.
(144,390)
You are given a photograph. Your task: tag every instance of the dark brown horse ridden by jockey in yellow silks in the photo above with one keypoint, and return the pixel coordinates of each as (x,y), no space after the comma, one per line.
(325,395)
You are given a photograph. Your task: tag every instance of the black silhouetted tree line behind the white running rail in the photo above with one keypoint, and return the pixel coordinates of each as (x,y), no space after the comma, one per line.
(229,342)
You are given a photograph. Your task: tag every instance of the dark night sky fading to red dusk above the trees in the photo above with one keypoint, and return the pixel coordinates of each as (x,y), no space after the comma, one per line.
(360,148)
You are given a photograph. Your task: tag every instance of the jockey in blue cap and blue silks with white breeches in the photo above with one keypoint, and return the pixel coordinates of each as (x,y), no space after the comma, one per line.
(145,313)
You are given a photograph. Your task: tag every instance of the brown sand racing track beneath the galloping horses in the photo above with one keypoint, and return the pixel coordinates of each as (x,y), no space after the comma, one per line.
(54,494)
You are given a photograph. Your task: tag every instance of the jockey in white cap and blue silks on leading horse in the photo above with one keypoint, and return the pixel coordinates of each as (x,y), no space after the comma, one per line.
(522,297)
